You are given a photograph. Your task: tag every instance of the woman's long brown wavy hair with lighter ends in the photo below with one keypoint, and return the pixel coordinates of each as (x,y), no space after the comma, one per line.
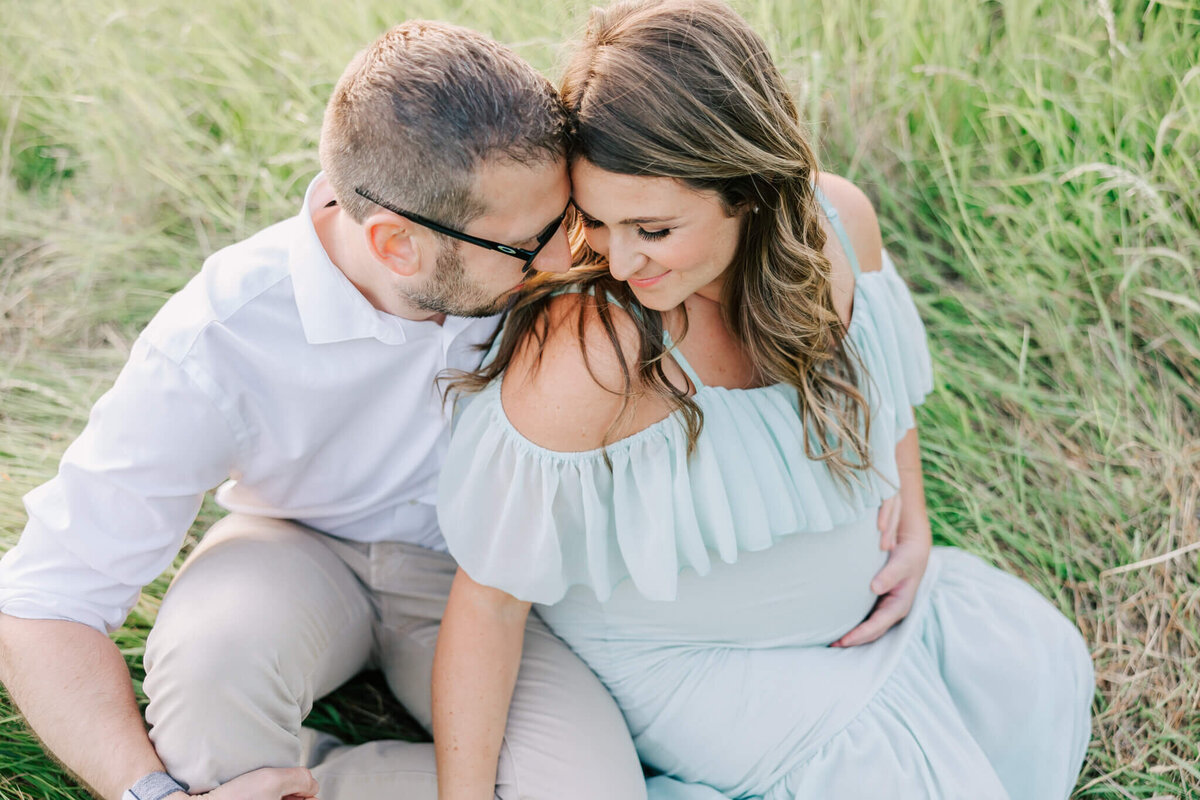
(686,89)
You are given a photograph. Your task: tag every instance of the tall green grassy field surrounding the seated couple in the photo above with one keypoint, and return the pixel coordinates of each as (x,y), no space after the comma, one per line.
(1037,172)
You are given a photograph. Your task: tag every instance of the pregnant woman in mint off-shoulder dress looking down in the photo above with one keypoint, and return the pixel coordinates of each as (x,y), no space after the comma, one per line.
(680,450)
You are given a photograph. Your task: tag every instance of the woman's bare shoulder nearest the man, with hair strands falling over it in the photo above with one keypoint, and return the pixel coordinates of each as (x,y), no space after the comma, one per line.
(566,392)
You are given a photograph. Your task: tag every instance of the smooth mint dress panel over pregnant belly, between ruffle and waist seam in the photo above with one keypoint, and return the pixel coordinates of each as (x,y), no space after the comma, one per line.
(807,590)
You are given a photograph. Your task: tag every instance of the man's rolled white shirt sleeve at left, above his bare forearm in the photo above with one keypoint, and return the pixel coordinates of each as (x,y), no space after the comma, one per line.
(127,492)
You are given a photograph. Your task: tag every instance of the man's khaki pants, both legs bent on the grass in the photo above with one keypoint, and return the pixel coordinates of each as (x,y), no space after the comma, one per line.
(267,616)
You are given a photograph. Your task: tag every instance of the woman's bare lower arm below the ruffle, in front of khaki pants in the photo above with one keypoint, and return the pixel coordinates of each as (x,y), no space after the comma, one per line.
(475,671)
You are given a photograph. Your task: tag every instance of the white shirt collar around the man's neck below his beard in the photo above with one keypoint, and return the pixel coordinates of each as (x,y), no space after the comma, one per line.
(332,309)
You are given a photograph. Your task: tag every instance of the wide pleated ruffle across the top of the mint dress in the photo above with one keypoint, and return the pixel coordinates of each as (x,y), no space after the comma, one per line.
(536,522)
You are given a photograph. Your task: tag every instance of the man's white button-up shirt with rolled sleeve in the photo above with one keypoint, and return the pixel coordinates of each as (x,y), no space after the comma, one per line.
(271,372)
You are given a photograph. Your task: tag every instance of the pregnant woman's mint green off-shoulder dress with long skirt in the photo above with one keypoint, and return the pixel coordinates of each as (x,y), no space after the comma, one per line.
(703,591)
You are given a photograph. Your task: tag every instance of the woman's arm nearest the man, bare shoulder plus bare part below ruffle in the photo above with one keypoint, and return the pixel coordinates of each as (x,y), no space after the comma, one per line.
(560,401)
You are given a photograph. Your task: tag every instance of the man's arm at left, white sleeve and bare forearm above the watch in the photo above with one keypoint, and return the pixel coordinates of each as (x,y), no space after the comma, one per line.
(109,524)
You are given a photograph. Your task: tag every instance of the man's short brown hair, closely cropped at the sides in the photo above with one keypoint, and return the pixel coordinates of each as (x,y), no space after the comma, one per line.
(418,112)
